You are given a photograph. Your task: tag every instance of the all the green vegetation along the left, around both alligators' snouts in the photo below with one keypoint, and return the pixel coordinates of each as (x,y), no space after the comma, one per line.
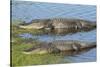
(19,44)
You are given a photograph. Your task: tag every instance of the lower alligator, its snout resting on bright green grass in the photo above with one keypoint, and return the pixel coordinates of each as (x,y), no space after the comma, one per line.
(59,46)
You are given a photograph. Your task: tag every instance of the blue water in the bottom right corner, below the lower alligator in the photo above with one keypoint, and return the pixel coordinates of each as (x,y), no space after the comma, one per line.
(83,57)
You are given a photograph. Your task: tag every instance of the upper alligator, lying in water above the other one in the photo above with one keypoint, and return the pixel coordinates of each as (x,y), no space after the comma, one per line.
(59,23)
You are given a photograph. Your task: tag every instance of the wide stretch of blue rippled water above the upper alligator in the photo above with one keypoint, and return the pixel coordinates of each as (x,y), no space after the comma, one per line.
(35,10)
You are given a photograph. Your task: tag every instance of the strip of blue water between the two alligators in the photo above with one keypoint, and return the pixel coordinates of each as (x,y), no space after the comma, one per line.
(84,36)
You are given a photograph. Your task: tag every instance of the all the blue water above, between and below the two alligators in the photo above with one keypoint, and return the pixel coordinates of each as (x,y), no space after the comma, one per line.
(28,10)
